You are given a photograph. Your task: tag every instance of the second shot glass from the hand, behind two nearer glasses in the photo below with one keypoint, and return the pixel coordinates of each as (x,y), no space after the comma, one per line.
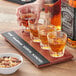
(34,29)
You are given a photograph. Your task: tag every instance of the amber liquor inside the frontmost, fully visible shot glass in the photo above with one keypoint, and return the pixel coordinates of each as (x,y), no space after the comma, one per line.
(57,45)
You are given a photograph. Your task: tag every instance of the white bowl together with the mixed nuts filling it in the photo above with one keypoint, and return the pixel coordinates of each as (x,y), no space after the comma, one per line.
(10,63)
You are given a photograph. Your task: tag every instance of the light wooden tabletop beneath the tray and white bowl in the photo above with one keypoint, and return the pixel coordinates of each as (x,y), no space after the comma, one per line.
(7,23)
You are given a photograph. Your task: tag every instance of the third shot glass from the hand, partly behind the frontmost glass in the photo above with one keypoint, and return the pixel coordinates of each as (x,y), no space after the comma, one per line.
(42,32)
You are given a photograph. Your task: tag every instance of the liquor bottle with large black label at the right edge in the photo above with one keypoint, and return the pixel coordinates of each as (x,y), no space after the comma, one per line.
(68,10)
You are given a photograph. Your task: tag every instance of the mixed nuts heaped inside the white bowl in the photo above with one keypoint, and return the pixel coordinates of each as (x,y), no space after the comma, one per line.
(7,62)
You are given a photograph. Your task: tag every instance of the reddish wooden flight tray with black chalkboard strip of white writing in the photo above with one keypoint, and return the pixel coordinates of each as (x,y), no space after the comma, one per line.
(31,50)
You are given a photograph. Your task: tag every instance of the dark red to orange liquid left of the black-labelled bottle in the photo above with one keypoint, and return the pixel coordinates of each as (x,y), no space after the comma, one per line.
(55,13)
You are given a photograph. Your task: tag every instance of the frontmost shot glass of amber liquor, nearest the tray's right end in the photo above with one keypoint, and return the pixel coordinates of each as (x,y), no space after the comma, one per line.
(56,42)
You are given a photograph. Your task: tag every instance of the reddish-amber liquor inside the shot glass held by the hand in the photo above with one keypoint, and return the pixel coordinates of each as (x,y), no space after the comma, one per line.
(26,17)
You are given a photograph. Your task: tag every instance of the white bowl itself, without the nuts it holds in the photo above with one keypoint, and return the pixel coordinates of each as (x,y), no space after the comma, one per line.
(11,69)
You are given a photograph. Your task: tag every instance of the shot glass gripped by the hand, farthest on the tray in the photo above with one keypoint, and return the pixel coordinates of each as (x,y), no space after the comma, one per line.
(25,16)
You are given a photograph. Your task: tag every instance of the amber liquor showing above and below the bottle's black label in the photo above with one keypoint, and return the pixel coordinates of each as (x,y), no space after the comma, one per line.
(72,43)
